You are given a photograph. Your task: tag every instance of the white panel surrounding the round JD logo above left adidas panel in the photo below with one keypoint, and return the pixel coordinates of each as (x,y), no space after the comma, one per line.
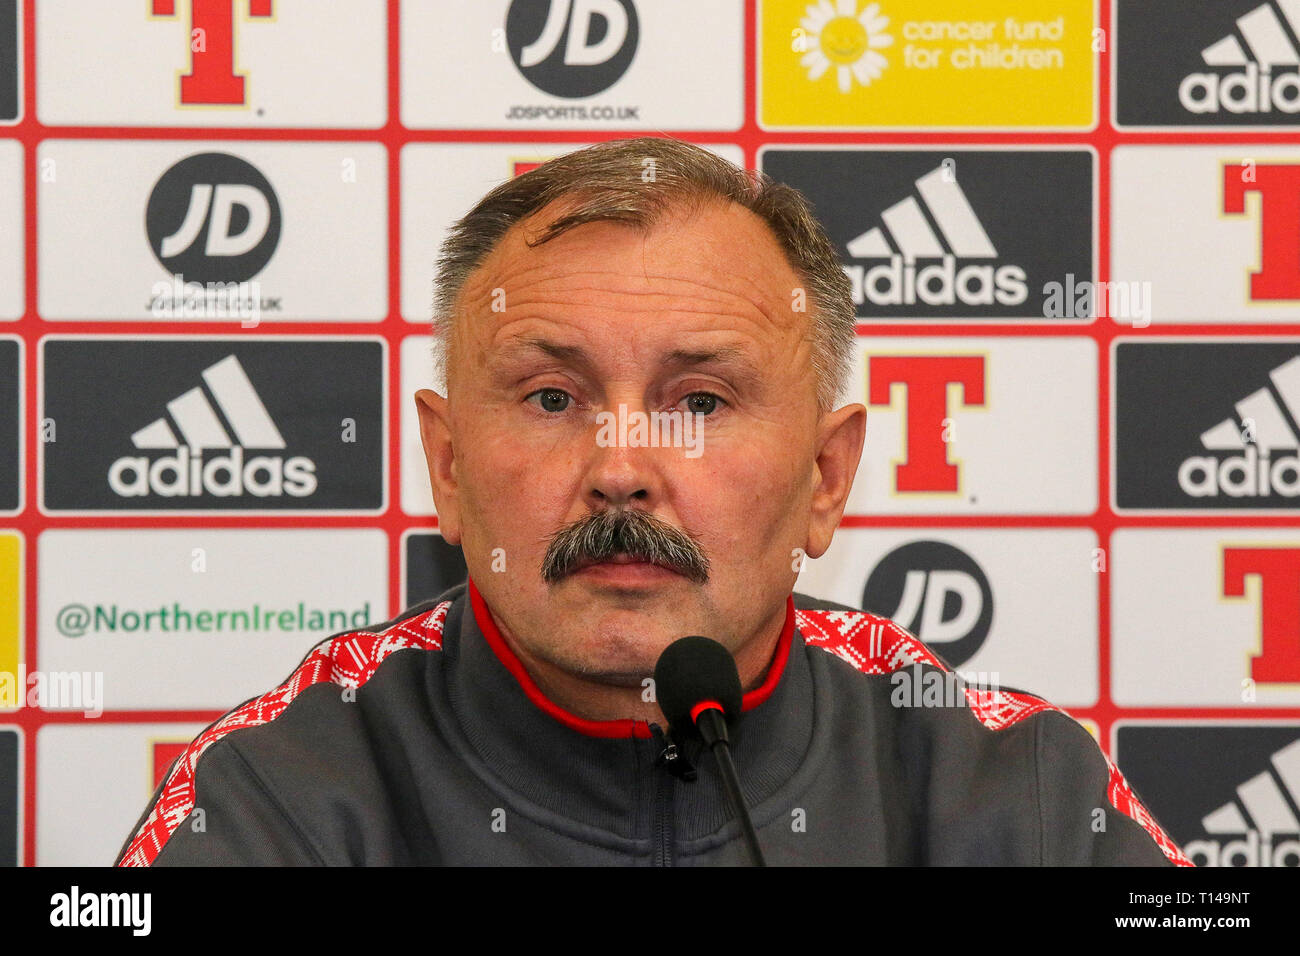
(331,263)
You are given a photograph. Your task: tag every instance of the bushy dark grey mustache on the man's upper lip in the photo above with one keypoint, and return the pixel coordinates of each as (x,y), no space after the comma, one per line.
(601,535)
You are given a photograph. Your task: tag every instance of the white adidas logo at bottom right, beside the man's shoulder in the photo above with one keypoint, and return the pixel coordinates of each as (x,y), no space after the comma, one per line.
(1272,811)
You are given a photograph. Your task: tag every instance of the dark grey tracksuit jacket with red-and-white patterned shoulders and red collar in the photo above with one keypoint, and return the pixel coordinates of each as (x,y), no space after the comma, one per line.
(422,742)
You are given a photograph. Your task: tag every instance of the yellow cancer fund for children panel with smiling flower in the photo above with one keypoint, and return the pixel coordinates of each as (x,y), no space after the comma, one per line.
(917,64)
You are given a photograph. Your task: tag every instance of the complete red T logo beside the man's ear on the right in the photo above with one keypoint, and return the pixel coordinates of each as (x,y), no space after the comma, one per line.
(926,380)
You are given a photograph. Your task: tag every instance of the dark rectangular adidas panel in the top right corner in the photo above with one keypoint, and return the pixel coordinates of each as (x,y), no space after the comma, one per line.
(1224,63)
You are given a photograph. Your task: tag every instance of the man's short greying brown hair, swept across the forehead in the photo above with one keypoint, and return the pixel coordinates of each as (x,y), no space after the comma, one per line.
(610,183)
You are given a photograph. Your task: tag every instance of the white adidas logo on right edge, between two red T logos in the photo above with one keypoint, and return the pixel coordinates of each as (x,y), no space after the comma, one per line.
(1250,469)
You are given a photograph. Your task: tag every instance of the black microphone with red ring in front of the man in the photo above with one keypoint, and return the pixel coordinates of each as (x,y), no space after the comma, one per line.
(699,690)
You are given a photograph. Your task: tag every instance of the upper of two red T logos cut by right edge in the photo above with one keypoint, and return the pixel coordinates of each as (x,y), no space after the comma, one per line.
(1280,224)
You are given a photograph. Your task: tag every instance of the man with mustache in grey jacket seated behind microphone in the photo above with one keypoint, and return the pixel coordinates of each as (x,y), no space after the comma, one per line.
(643,351)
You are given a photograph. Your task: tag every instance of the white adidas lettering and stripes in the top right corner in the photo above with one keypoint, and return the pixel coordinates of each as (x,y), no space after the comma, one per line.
(1254,88)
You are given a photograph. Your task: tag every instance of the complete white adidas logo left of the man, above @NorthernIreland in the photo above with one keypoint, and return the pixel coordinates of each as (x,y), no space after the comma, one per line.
(206,426)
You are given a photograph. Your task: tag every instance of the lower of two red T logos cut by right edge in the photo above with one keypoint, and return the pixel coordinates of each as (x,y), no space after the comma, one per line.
(1279,569)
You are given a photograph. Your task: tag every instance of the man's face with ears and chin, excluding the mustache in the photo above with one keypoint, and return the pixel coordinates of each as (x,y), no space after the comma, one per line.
(696,317)
